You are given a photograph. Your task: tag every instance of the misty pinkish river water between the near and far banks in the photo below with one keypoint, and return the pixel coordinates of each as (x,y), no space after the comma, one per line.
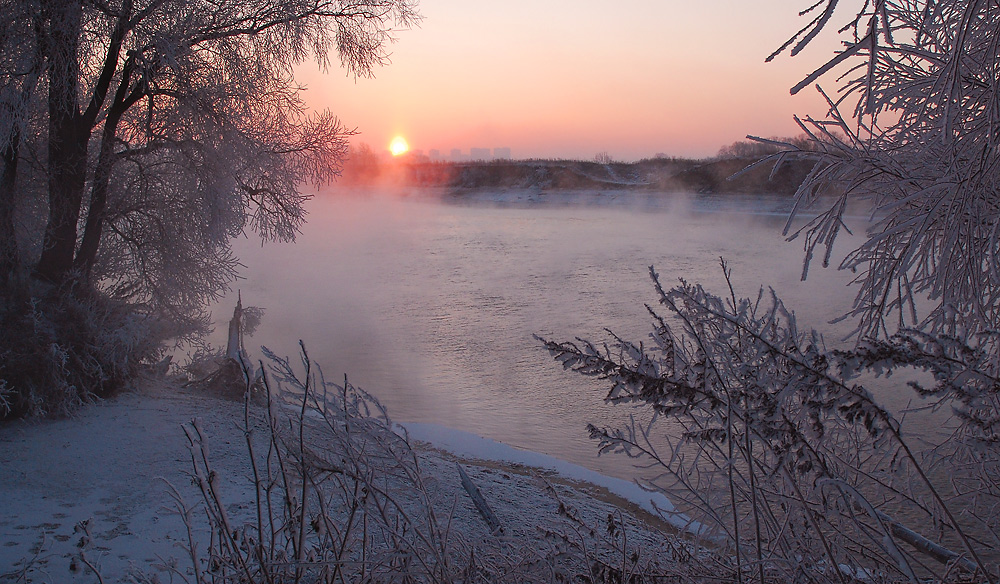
(431,303)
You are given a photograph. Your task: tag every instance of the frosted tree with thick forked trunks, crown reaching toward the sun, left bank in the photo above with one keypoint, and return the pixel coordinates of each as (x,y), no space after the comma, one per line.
(199,95)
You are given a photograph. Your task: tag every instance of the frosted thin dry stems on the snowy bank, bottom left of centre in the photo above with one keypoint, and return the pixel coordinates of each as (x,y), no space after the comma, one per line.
(340,496)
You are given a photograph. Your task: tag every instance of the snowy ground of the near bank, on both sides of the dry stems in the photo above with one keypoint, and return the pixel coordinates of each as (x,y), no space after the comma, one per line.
(109,467)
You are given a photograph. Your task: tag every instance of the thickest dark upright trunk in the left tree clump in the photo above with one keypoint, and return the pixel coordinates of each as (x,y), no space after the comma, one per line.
(68,138)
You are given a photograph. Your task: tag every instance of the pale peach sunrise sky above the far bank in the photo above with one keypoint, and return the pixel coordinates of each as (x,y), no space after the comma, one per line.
(574,78)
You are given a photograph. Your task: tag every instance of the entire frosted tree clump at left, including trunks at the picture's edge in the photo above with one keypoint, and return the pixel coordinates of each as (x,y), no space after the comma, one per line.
(138,137)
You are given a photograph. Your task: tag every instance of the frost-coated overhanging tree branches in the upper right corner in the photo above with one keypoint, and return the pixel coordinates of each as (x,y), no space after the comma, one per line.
(914,133)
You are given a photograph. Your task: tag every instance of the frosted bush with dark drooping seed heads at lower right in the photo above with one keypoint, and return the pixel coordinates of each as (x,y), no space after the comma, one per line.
(781,456)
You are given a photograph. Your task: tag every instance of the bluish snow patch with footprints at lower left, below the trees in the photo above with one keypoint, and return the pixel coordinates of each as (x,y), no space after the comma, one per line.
(106,467)
